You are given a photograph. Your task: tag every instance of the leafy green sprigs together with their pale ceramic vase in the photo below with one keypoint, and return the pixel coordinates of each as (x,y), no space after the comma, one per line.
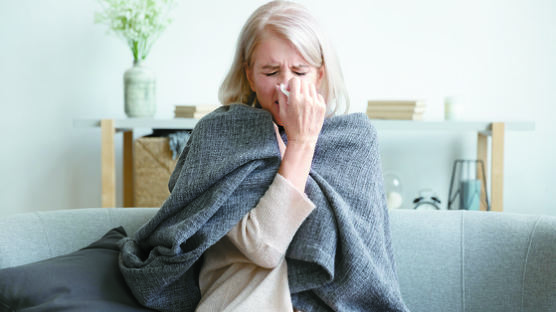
(139,23)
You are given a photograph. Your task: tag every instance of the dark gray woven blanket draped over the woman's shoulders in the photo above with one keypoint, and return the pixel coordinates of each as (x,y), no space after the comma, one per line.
(340,258)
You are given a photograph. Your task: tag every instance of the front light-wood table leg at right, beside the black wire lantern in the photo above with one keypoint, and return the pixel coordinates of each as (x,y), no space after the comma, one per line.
(497,163)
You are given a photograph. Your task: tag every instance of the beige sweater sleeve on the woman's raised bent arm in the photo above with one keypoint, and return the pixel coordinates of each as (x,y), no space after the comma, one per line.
(264,234)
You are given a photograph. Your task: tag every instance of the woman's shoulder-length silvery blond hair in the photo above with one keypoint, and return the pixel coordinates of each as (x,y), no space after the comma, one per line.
(294,23)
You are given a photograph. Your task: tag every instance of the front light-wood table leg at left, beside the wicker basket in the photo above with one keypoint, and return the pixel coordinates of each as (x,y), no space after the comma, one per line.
(108,164)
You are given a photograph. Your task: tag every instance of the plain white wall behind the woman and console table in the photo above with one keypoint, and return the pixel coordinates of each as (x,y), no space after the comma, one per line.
(500,56)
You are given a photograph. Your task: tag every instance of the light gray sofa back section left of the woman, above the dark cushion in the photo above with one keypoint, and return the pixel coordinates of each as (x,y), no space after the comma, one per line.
(30,237)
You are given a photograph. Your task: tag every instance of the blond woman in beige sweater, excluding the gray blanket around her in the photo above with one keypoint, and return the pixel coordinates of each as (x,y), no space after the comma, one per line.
(252,254)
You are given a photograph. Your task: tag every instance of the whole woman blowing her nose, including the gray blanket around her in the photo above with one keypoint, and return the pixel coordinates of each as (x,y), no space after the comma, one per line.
(293,217)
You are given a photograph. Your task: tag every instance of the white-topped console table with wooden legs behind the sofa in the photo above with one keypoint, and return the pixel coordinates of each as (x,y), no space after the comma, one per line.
(109,127)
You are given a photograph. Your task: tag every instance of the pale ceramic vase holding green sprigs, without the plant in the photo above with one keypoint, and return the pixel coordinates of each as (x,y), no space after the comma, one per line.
(139,91)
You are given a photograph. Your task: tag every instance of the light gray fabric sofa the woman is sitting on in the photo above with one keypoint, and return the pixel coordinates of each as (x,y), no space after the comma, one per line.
(446,260)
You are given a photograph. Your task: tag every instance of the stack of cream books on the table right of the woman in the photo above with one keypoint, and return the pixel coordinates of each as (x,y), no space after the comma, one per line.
(396,109)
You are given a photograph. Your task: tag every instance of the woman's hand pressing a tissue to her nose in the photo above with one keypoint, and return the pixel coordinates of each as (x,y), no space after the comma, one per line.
(302,114)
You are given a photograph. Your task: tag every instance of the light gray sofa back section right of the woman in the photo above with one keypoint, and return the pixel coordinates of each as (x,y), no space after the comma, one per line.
(475,261)
